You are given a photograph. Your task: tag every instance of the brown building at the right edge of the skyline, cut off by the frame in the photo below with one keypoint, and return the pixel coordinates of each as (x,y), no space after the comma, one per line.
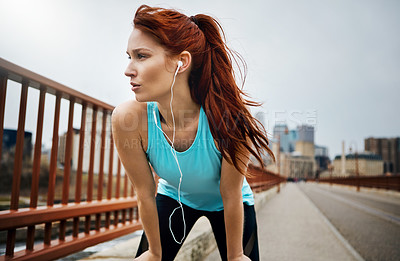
(388,149)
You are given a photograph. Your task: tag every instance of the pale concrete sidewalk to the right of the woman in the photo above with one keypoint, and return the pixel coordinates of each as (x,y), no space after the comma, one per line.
(292,228)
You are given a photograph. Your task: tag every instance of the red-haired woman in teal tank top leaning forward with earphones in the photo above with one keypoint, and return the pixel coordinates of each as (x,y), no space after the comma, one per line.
(190,124)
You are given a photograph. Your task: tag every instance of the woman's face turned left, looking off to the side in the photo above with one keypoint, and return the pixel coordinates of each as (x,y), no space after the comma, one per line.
(149,72)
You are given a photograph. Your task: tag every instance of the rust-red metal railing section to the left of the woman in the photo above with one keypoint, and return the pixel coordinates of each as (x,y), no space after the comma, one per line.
(72,211)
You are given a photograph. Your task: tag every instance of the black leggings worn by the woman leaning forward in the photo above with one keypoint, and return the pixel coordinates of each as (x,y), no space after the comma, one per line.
(165,206)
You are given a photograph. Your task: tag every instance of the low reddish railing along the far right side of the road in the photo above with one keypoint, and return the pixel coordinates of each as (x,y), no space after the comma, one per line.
(381,182)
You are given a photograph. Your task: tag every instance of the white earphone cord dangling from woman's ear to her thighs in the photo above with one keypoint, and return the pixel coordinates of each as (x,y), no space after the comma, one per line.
(173,151)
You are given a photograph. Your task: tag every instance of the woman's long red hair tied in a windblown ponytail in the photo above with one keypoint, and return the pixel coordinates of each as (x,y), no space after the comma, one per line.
(212,79)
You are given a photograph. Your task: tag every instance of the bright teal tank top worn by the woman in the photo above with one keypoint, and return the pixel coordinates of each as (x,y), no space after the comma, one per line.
(200,165)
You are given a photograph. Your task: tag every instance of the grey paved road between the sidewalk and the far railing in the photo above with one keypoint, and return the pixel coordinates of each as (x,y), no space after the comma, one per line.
(369,221)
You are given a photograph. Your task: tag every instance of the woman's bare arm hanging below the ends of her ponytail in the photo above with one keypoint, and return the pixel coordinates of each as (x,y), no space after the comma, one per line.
(231,192)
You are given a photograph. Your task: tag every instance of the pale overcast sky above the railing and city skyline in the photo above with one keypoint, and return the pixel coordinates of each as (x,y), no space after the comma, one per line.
(332,64)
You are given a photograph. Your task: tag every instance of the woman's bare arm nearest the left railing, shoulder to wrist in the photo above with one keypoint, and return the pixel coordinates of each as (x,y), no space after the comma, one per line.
(126,121)
